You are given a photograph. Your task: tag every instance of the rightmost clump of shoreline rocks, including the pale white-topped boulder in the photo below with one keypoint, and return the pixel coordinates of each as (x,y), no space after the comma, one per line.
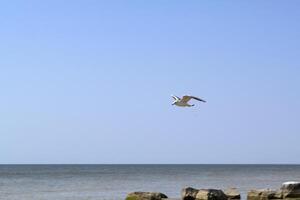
(288,191)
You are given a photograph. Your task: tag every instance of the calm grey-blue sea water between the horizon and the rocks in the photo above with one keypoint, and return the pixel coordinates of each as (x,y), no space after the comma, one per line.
(113,182)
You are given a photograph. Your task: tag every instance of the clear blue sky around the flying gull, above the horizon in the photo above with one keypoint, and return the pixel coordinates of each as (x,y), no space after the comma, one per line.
(90,81)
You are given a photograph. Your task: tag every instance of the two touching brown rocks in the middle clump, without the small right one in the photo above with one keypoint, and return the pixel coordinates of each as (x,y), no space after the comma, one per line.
(203,194)
